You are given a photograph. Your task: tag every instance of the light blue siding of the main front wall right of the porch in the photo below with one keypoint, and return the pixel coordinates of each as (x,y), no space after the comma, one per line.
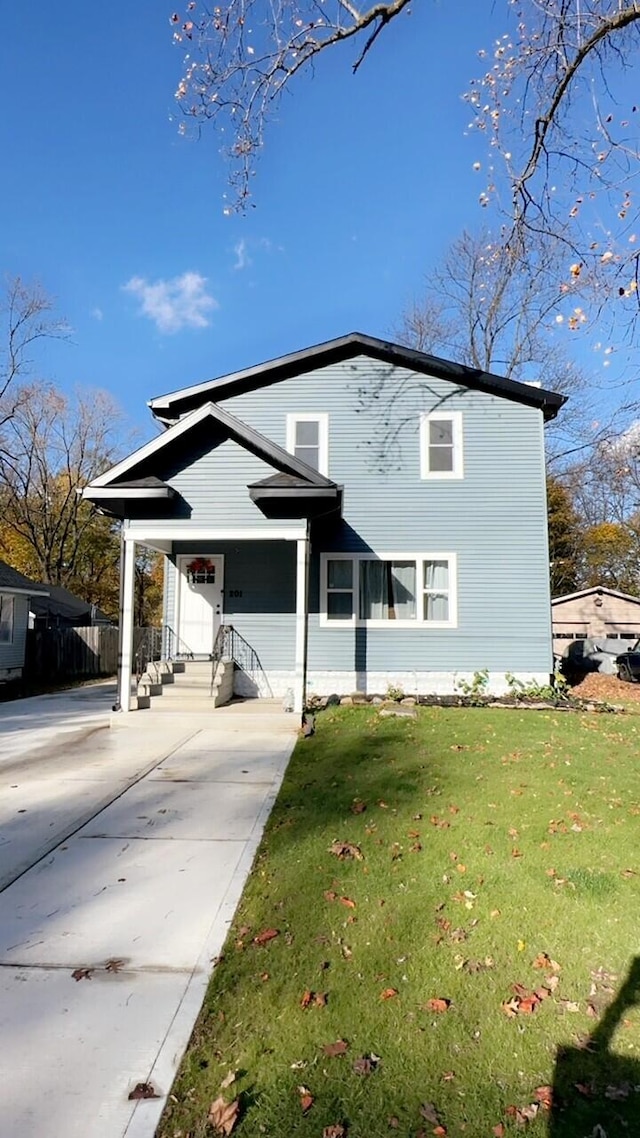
(494,519)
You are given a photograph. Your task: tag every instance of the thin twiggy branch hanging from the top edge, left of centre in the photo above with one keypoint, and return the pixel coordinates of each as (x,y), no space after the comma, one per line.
(241,57)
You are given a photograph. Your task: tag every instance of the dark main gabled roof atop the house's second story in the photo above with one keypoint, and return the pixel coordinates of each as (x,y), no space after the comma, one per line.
(168,408)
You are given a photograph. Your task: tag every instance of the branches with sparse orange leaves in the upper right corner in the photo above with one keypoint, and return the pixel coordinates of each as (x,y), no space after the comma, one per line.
(553,106)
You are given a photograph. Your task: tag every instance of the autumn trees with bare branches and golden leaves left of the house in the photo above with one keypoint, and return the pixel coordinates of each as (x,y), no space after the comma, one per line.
(52,446)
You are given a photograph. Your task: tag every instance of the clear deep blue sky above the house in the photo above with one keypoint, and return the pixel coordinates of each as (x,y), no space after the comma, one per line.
(364,184)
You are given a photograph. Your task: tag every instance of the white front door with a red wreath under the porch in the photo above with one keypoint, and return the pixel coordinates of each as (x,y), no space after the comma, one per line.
(200,603)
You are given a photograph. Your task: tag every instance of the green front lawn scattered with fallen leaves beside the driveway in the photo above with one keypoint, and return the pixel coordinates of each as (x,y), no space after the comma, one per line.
(489,839)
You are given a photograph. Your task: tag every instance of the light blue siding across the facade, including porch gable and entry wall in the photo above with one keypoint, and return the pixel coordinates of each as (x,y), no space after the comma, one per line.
(494,519)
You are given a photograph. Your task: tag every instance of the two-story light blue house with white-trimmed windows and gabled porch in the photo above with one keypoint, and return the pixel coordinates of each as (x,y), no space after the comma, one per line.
(362,514)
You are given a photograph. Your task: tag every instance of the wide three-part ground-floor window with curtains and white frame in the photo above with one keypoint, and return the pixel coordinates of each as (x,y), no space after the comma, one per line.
(409,591)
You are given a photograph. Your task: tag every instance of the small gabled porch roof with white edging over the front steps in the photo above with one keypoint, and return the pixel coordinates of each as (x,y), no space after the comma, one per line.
(258,444)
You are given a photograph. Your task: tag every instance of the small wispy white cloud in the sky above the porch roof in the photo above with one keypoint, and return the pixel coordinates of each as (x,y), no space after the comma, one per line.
(179,303)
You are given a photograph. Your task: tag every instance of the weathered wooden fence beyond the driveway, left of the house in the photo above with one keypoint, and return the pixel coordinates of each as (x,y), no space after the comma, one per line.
(64,654)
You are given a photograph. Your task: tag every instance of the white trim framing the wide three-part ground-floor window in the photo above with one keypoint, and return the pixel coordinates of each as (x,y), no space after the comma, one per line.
(420,623)
